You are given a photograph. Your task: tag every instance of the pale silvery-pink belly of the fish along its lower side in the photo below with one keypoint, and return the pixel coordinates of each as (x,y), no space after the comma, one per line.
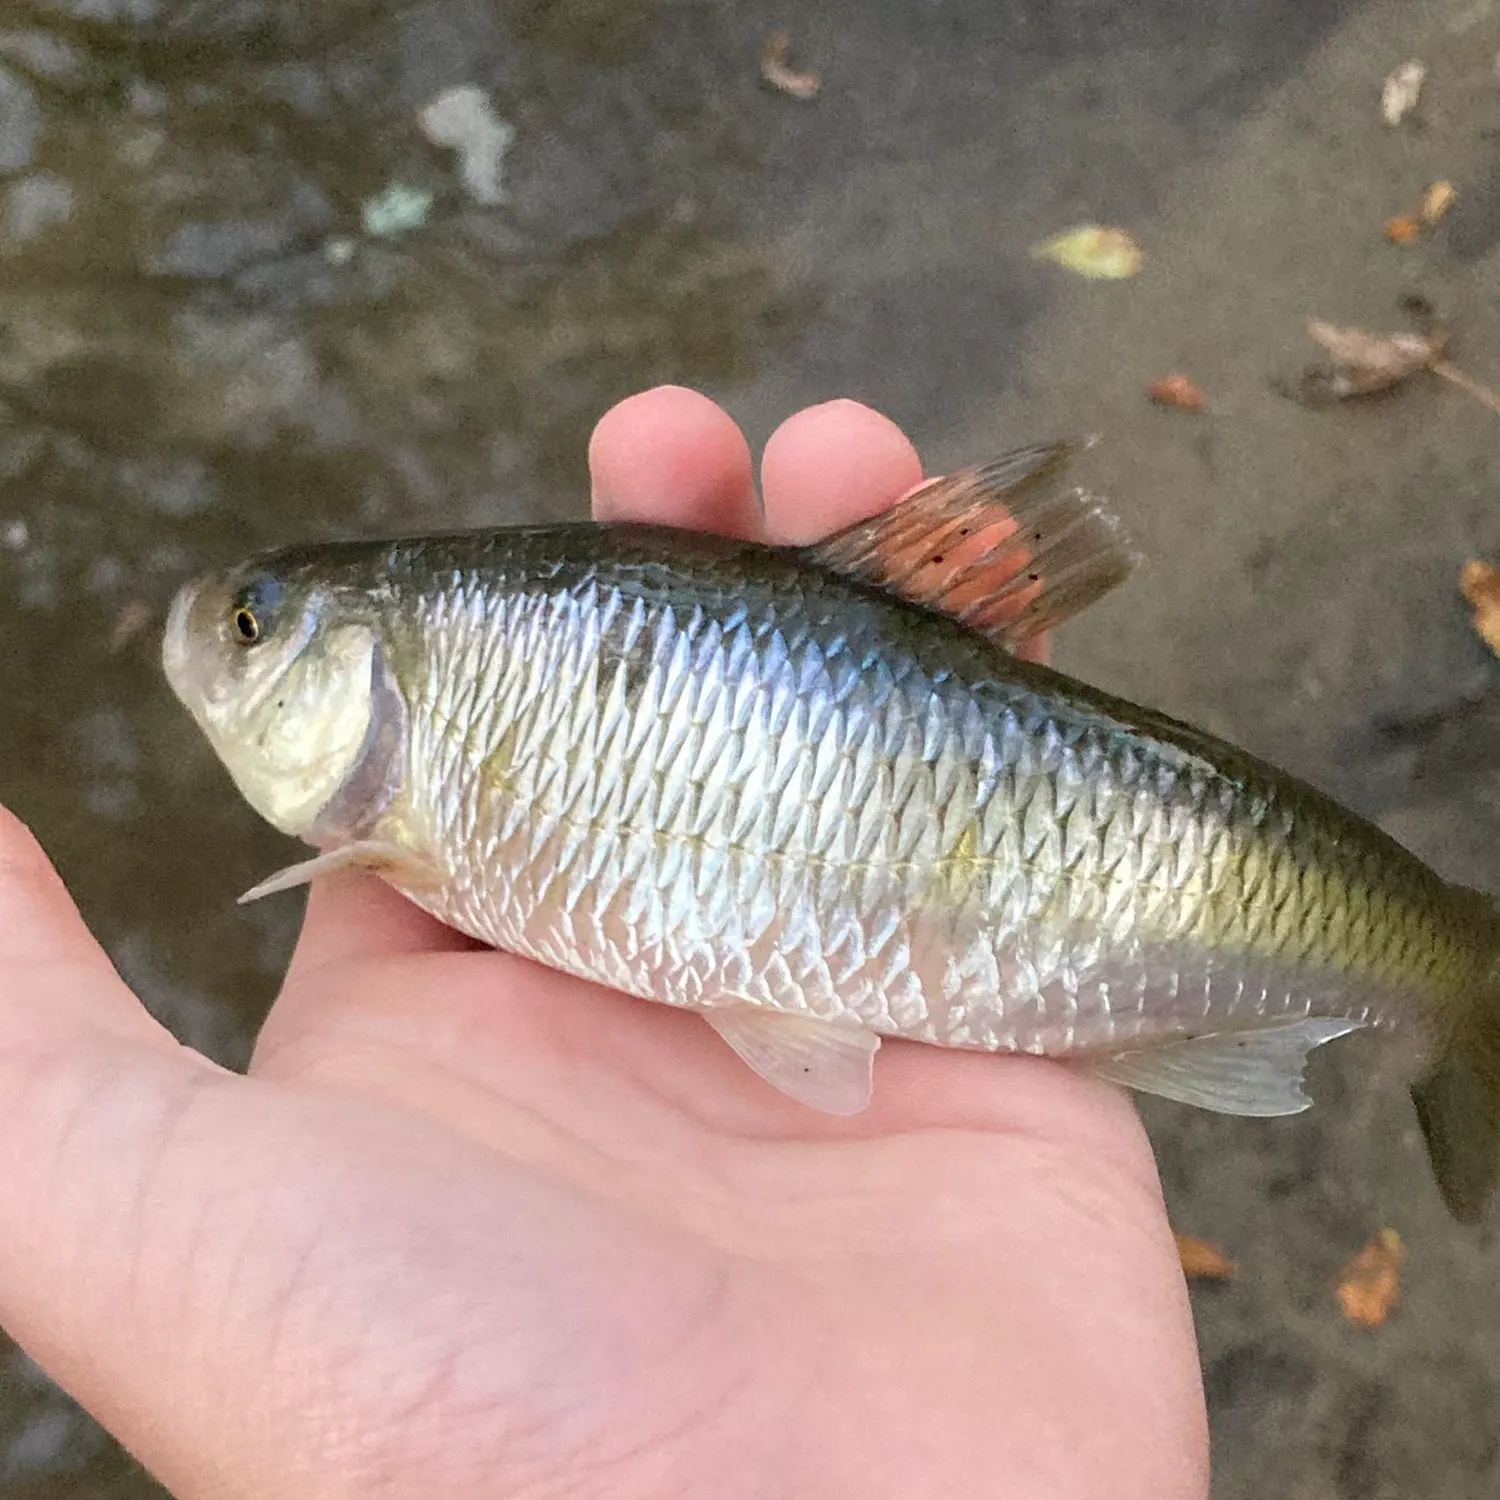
(704,929)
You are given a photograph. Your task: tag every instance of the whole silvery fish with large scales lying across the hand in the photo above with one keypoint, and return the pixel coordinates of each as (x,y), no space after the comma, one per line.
(817,796)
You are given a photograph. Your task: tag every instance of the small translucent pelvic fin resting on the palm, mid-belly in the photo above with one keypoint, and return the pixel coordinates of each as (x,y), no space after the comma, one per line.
(820,1064)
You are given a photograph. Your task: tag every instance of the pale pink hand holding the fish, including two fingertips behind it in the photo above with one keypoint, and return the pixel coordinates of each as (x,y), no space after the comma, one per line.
(476,1229)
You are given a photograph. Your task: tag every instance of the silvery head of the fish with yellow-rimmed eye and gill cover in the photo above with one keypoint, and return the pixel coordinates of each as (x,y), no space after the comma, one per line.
(286,679)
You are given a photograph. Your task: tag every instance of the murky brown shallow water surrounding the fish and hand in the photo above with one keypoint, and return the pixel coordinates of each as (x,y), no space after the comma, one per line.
(208,346)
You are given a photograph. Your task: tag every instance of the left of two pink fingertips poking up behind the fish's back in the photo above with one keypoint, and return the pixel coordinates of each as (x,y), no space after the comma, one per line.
(676,458)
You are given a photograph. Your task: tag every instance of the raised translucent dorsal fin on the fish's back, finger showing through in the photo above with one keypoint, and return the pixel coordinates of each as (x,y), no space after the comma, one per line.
(1006,548)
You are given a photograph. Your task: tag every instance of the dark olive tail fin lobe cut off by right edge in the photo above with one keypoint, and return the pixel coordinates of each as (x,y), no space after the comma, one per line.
(1459,1108)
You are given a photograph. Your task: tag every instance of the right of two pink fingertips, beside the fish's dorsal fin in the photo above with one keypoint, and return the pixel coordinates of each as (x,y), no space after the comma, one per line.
(833,466)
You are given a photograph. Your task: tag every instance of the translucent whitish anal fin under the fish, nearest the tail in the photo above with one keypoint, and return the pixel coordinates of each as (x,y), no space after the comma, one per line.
(1231,1073)
